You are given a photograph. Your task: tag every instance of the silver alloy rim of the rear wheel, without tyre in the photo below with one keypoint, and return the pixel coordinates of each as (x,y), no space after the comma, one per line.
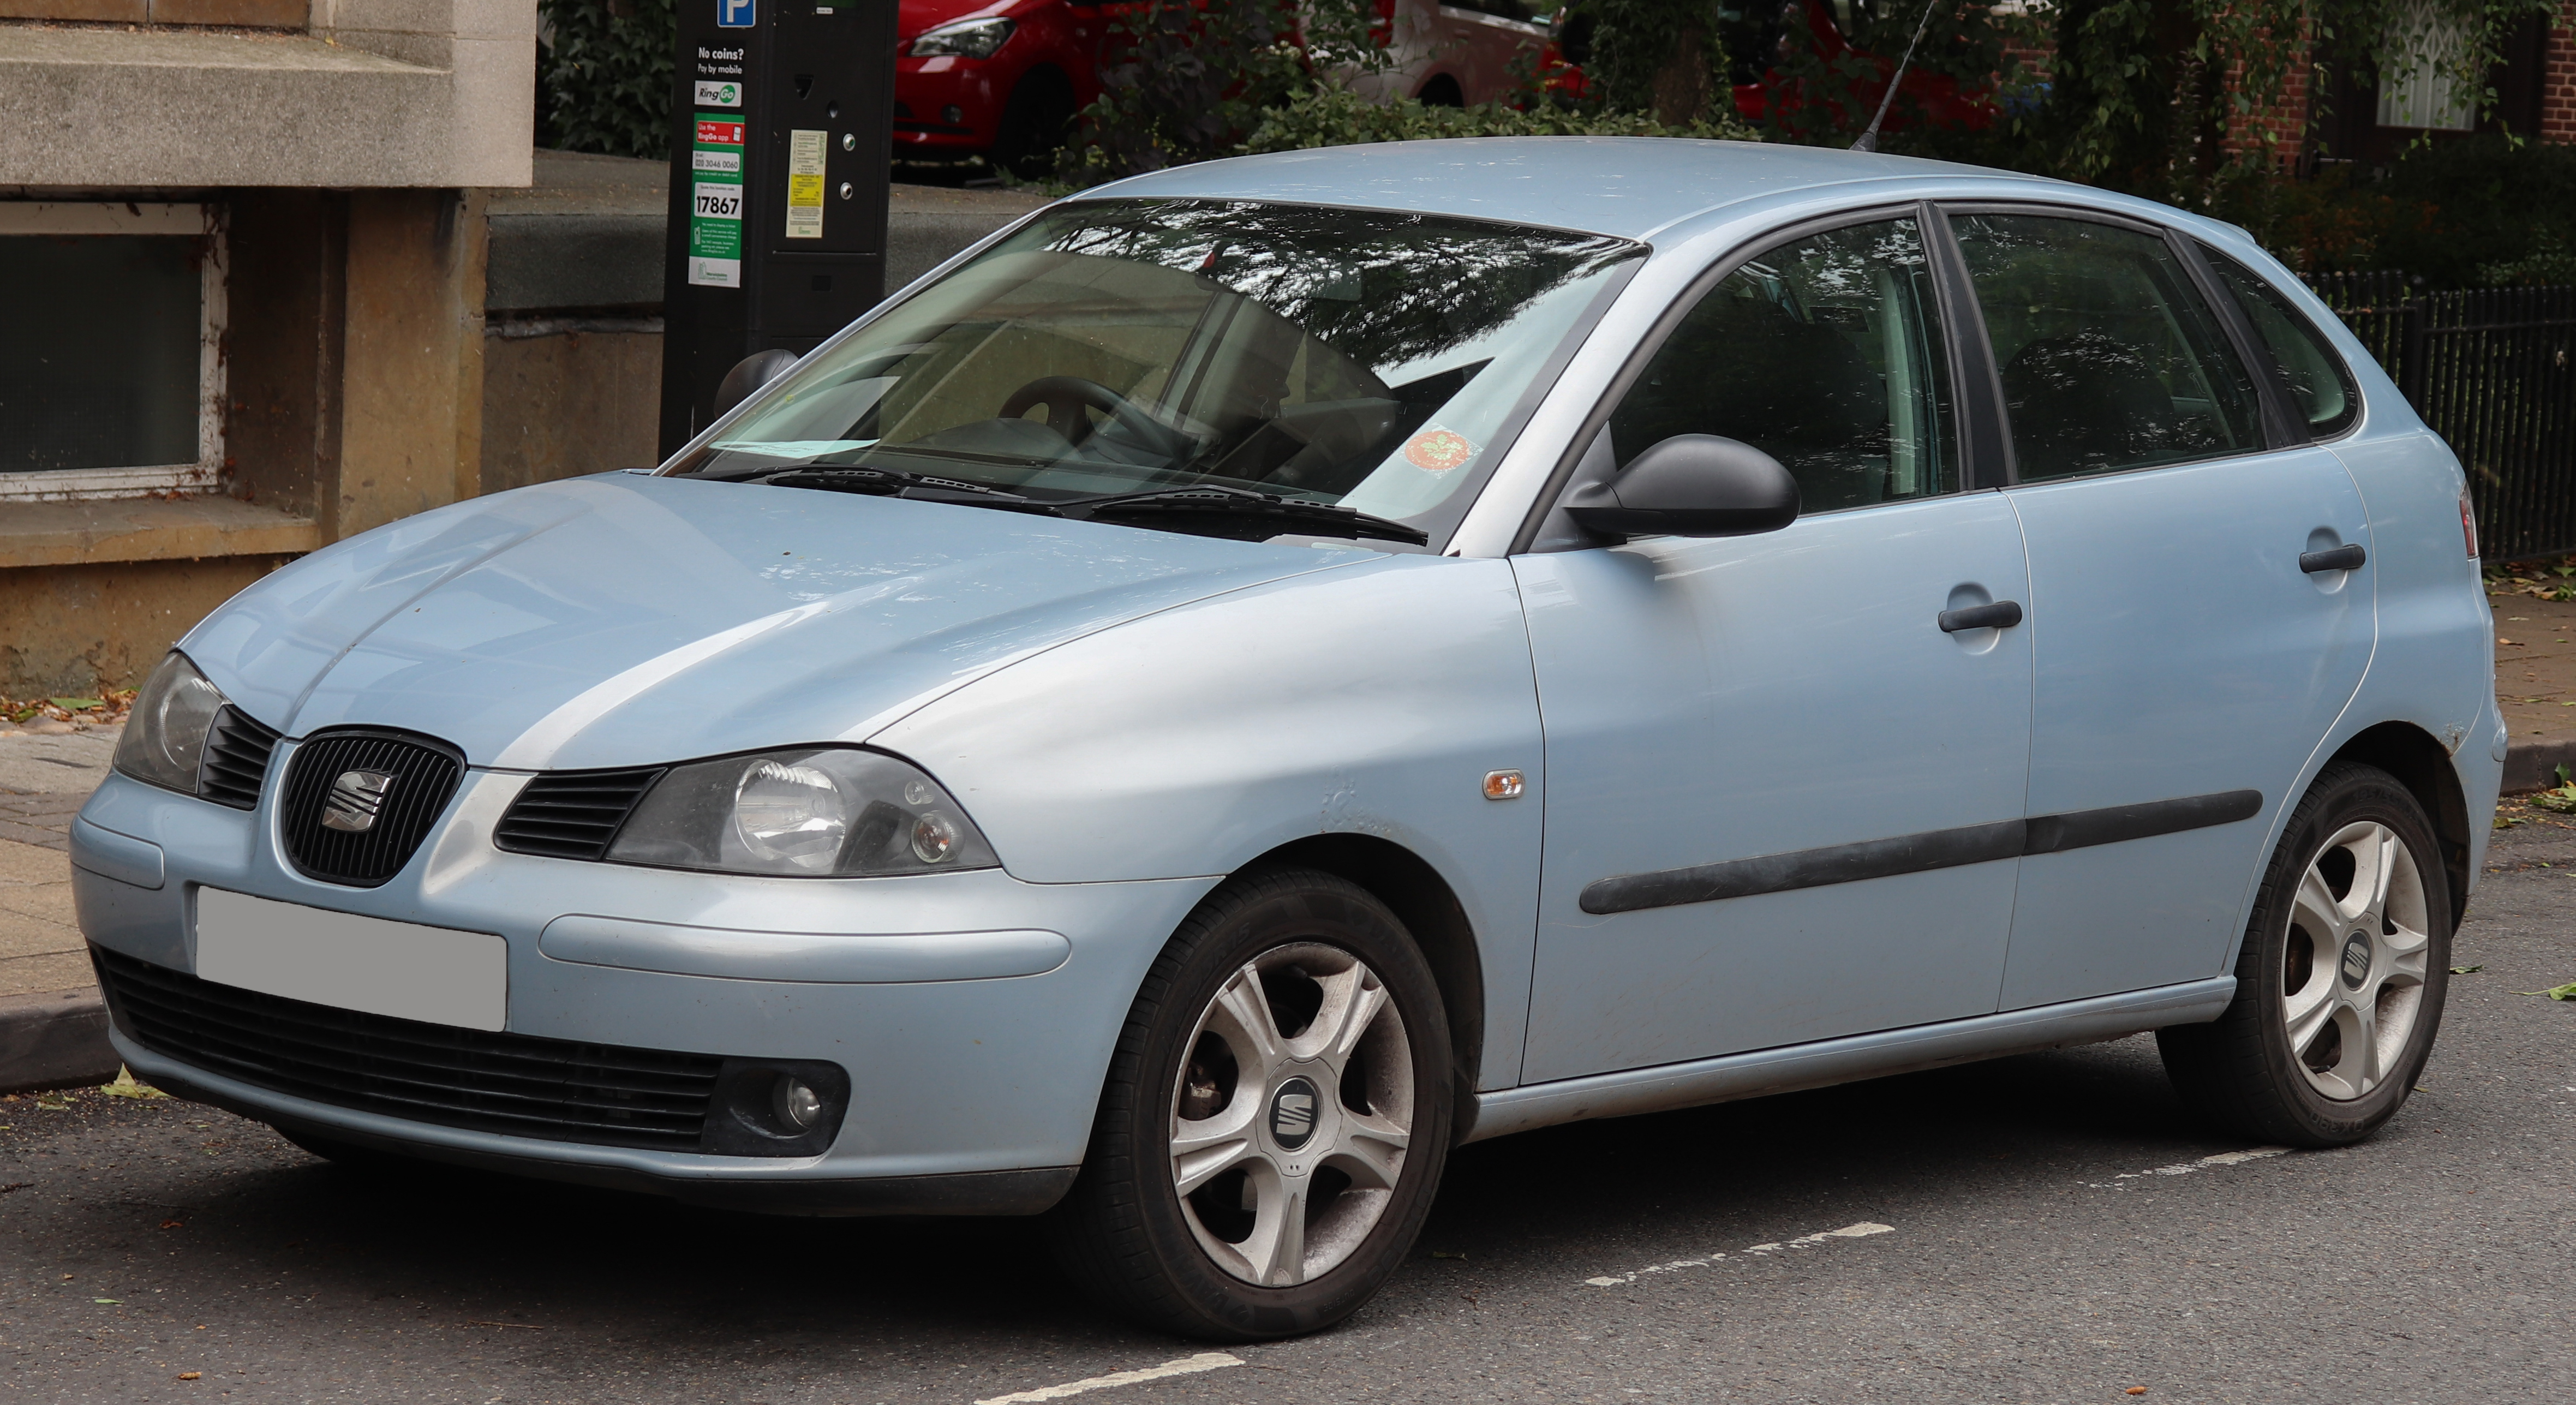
(2353,968)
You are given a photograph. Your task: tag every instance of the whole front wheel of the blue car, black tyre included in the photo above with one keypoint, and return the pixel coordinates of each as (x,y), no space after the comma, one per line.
(1274,1123)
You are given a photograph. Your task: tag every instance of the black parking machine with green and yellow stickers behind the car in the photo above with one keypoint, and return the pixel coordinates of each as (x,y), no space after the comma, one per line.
(782,138)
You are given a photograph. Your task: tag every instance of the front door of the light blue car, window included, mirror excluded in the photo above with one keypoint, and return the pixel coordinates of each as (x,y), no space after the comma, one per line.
(1784,803)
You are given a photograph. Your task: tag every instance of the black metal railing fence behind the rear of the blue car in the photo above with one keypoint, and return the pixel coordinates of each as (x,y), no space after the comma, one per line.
(2490,373)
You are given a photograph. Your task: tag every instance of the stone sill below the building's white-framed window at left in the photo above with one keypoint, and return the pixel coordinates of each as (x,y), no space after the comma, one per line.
(148,530)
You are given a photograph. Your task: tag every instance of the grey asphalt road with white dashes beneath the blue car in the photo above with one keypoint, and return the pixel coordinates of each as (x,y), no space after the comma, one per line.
(2052,1236)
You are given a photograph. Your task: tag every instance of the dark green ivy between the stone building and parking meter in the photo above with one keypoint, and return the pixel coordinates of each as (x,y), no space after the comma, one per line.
(604,76)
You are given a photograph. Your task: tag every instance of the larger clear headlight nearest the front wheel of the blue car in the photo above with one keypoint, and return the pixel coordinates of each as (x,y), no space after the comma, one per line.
(802,813)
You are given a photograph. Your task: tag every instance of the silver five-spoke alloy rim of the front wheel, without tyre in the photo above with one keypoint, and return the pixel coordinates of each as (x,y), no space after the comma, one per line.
(1292,1115)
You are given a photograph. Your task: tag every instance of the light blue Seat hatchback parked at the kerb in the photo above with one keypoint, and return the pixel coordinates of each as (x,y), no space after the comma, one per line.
(1271,672)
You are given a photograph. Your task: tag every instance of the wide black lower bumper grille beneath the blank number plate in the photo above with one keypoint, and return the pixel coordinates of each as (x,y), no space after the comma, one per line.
(516,1084)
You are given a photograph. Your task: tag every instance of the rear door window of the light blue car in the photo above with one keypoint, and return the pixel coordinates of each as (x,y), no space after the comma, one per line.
(2108,354)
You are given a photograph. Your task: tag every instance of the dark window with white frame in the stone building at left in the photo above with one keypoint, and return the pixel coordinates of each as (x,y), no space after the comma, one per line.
(112,334)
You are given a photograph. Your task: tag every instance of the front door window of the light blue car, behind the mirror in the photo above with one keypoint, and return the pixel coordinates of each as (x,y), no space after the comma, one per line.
(1825,354)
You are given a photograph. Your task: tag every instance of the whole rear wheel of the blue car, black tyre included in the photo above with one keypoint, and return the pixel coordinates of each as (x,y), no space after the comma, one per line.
(2340,981)
